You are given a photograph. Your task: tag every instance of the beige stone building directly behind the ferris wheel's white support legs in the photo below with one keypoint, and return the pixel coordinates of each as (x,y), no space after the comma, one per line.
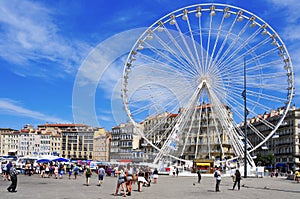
(198,137)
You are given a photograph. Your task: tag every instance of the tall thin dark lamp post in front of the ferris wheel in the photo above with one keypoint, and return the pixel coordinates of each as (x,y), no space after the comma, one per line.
(245,121)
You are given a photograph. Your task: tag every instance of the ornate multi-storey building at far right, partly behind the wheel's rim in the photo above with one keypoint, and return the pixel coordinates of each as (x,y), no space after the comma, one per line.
(285,144)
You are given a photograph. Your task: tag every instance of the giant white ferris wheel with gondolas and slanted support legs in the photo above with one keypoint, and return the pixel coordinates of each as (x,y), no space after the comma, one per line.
(195,73)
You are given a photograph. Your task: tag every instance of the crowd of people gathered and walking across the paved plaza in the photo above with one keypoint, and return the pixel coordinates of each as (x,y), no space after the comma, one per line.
(126,175)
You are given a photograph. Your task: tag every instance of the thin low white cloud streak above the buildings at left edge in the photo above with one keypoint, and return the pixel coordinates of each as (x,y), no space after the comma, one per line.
(11,107)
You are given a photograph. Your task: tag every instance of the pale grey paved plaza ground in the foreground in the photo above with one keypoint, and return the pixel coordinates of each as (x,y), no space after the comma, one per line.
(167,187)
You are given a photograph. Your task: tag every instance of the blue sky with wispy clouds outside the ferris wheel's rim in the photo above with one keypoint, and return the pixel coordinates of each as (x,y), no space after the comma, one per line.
(46,48)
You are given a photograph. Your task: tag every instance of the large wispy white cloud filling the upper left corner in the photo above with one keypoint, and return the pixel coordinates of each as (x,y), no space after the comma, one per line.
(32,40)
